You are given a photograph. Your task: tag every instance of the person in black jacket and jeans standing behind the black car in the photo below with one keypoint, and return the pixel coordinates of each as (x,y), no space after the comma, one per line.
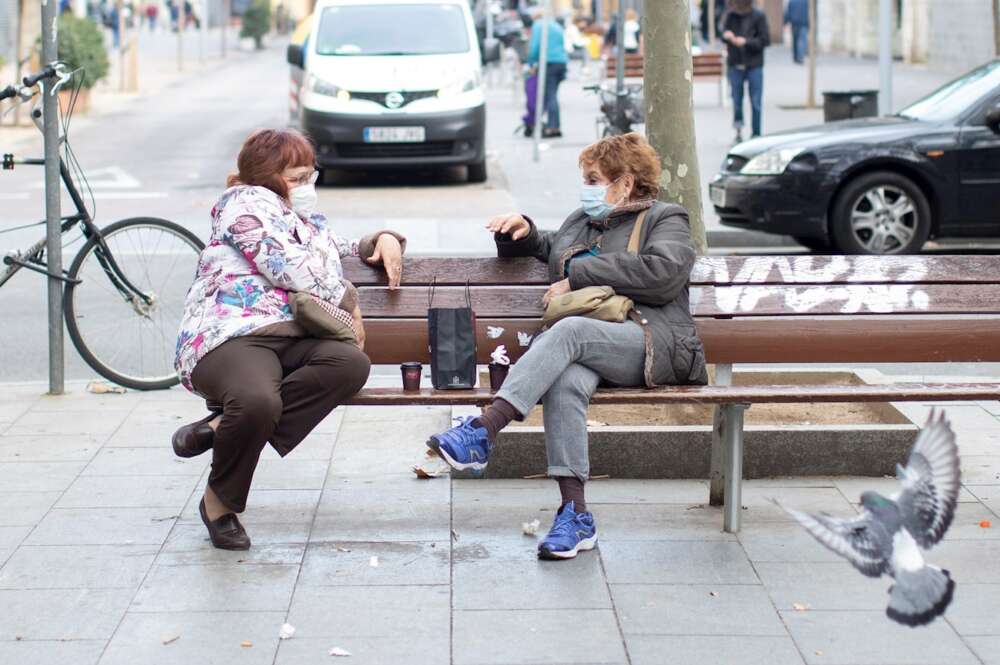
(745,31)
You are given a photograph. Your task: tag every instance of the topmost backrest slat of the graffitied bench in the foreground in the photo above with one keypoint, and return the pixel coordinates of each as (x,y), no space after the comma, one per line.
(805,269)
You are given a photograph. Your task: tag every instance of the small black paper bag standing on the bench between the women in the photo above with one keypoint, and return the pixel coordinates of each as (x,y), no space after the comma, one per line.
(451,332)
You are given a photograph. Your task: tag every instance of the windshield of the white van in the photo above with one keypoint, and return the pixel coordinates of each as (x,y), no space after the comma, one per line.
(358,30)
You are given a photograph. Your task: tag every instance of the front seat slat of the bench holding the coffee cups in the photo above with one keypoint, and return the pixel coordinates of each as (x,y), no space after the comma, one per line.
(897,392)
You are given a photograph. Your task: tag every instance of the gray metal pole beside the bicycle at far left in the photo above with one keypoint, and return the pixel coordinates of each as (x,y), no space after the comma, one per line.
(53,235)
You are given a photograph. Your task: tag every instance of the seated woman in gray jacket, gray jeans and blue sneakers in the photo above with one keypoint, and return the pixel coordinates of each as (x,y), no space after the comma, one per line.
(658,344)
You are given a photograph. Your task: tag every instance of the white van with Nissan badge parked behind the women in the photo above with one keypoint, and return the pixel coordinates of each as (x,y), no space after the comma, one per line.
(392,84)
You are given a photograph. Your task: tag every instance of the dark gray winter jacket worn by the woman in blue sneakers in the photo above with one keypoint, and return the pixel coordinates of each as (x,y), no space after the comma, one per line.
(656,279)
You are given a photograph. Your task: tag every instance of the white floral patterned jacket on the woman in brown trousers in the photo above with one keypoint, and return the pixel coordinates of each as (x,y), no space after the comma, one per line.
(258,251)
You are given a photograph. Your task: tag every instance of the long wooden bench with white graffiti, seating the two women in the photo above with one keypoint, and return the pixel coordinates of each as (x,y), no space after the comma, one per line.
(749,310)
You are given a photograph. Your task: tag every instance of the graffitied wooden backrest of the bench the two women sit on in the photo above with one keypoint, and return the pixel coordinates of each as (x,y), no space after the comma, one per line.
(759,309)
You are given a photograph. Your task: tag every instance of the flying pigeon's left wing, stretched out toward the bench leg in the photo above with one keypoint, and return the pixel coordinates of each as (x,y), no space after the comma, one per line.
(861,540)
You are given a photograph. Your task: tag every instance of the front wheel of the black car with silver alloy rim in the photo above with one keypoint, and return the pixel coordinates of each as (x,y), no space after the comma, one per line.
(881,213)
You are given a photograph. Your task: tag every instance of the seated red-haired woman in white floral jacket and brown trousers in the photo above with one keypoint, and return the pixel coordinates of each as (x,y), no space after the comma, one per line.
(264,378)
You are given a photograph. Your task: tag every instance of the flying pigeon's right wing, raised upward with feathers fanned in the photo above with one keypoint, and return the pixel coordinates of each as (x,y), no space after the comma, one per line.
(930,482)
